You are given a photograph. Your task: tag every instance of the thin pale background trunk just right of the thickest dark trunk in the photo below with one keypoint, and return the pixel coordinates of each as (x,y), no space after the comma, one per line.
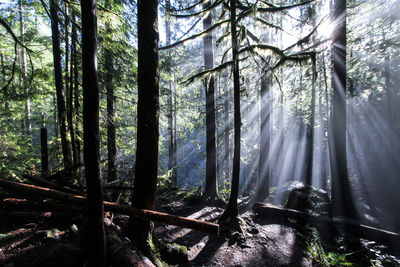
(171,147)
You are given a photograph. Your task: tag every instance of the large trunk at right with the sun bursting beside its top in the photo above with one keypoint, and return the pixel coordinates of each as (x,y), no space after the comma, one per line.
(343,204)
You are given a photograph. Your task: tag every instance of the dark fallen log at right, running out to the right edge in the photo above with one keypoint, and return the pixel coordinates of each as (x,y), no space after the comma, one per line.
(321,222)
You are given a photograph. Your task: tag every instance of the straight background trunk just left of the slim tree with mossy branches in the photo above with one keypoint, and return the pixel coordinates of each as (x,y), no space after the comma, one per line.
(211,148)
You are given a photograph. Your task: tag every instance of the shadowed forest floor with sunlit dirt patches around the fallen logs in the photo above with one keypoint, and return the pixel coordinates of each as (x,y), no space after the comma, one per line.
(29,238)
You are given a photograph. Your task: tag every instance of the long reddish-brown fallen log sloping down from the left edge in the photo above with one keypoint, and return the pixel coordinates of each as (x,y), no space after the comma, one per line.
(114,207)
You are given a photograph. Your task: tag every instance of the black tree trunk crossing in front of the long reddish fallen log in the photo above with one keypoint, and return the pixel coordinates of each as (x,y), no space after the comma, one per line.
(91,136)
